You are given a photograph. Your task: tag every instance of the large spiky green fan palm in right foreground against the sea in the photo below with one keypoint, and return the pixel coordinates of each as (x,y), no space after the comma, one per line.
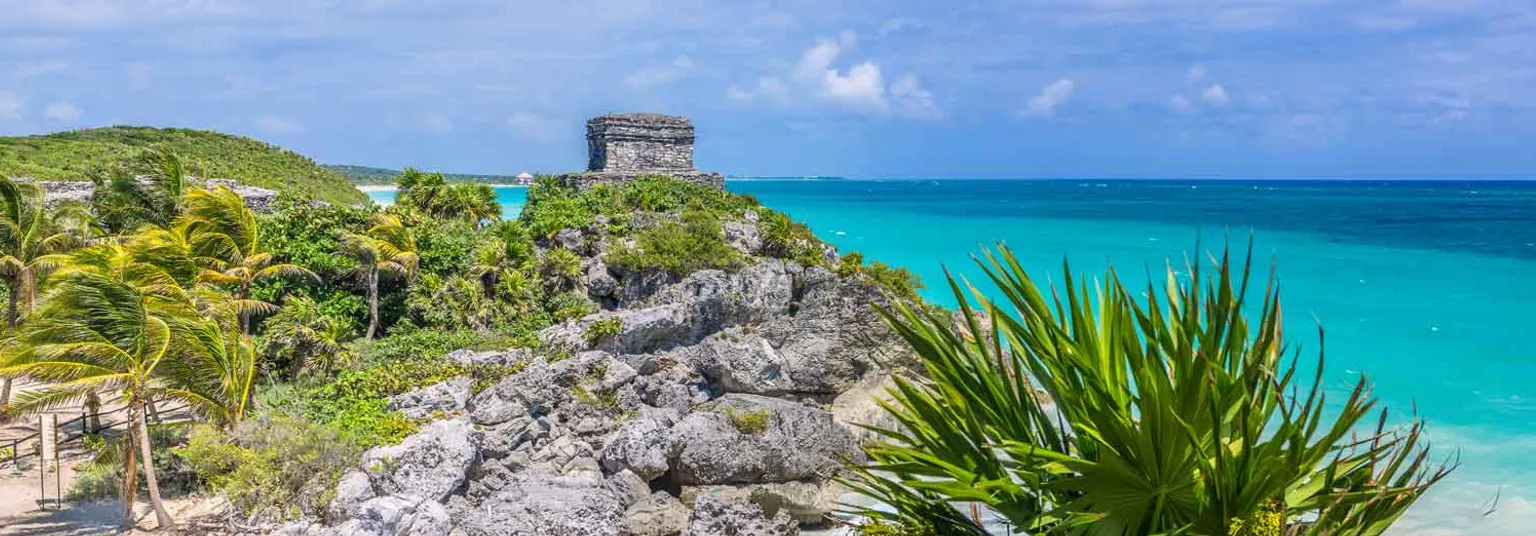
(1094,412)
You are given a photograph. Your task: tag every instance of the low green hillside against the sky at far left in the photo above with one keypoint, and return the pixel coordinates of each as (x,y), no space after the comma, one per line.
(70,156)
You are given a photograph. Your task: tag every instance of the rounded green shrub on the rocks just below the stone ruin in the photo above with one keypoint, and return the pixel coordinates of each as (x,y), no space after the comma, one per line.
(680,248)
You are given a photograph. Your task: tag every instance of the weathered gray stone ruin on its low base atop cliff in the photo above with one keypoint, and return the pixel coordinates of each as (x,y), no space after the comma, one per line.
(627,147)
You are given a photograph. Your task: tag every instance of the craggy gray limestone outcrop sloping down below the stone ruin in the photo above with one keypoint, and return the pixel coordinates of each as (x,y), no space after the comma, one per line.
(726,405)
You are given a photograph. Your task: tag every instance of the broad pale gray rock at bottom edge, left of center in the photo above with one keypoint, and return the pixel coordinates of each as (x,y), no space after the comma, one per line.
(545,505)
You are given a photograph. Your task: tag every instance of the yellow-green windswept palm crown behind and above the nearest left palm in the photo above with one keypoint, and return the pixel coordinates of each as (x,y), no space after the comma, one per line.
(222,233)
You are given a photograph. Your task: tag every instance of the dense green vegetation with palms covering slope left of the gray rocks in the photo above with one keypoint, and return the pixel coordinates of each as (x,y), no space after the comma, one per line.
(290,333)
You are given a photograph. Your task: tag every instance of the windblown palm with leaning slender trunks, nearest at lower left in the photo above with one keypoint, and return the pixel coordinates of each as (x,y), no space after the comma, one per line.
(104,331)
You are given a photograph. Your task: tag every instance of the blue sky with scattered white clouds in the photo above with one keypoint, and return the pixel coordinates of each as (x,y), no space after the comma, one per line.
(958,88)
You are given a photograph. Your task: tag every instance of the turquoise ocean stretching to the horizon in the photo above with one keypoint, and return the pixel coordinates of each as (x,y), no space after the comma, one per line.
(1425,288)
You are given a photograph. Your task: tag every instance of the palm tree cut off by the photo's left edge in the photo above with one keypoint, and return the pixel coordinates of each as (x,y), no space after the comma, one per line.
(31,239)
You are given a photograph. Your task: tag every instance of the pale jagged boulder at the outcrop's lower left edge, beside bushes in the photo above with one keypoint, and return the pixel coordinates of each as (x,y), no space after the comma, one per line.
(431,463)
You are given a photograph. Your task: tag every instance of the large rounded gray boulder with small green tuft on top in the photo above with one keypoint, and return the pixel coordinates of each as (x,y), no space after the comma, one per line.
(795,443)
